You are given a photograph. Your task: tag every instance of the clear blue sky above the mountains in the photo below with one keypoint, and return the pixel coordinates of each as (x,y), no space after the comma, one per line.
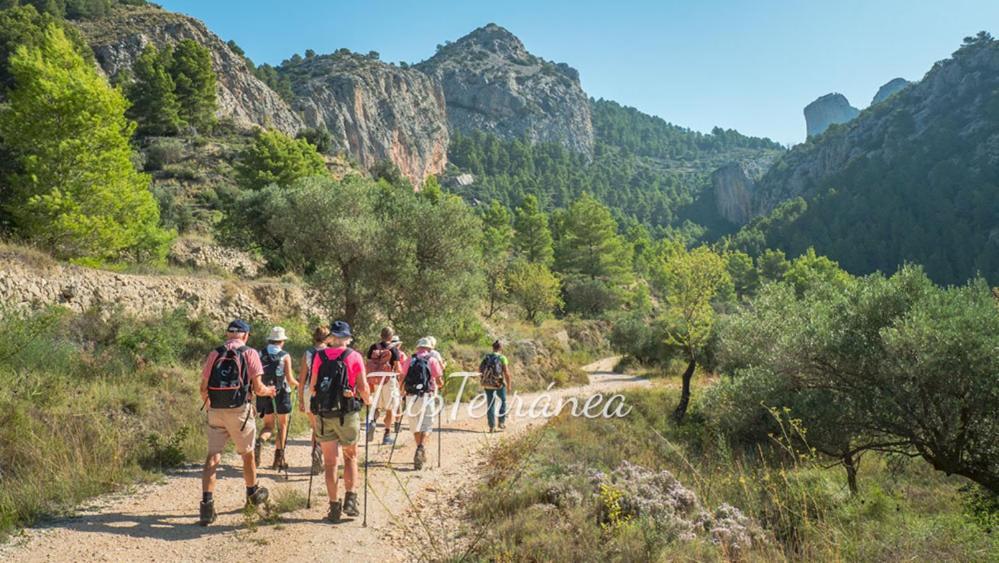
(748,65)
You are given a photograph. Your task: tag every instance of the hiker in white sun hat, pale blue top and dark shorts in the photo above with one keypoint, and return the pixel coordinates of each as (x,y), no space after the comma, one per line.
(278,373)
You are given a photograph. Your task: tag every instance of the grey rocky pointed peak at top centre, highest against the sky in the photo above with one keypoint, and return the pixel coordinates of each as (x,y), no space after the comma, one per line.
(493,84)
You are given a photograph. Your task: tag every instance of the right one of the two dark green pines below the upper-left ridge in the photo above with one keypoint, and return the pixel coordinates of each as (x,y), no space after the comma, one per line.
(191,69)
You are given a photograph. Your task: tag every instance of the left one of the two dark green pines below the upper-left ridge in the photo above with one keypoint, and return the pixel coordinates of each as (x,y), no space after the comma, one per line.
(154,102)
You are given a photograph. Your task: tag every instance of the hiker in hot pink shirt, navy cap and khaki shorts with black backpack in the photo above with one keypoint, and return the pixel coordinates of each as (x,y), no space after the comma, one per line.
(340,390)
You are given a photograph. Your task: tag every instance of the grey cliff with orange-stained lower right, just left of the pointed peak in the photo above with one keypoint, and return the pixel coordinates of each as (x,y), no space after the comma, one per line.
(374,111)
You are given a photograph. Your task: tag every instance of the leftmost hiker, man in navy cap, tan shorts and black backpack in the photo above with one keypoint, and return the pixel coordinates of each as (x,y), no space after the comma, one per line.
(231,373)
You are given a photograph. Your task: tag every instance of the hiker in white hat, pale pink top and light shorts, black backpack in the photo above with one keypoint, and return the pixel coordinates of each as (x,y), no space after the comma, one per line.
(424,376)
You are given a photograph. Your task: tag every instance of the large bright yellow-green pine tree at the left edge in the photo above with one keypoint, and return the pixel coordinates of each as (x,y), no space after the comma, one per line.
(76,190)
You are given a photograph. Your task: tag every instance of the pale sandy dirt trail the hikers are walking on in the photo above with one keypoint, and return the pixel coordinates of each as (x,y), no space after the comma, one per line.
(159,522)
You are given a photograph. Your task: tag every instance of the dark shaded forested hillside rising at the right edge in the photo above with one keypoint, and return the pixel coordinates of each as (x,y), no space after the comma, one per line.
(914,178)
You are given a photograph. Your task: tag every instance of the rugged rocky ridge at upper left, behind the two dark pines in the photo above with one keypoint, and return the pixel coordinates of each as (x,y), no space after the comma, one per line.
(119,39)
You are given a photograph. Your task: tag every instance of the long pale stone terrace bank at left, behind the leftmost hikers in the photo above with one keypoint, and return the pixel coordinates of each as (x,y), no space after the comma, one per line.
(27,284)
